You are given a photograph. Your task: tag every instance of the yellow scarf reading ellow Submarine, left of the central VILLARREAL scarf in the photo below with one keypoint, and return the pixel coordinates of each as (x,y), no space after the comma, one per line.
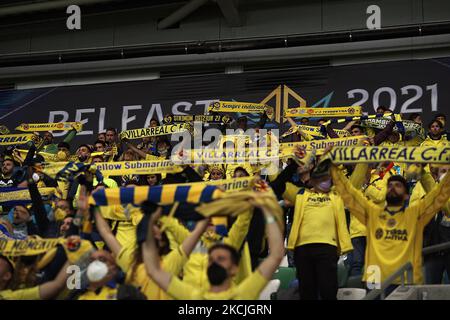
(137,167)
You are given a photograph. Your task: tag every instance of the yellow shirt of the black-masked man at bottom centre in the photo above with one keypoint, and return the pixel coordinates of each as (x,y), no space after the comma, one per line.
(249,289)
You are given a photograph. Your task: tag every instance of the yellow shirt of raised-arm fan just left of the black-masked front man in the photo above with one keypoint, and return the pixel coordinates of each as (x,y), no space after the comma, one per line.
(137,275)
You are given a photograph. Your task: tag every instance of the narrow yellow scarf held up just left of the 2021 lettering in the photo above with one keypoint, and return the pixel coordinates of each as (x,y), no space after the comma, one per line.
(323,112)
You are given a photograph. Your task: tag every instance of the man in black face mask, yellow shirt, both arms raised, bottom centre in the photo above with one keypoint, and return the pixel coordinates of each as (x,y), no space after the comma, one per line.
(223,263)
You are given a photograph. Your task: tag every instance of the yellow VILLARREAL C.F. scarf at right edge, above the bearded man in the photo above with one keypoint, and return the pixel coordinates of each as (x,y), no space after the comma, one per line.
(395,154)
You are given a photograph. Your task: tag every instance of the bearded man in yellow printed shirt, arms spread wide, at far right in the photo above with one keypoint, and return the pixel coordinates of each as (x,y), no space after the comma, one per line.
(394,229)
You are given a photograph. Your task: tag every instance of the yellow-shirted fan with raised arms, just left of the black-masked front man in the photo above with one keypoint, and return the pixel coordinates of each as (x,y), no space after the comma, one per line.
(129,257)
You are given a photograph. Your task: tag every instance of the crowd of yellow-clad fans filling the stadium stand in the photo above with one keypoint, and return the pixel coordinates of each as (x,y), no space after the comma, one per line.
(371,214)
